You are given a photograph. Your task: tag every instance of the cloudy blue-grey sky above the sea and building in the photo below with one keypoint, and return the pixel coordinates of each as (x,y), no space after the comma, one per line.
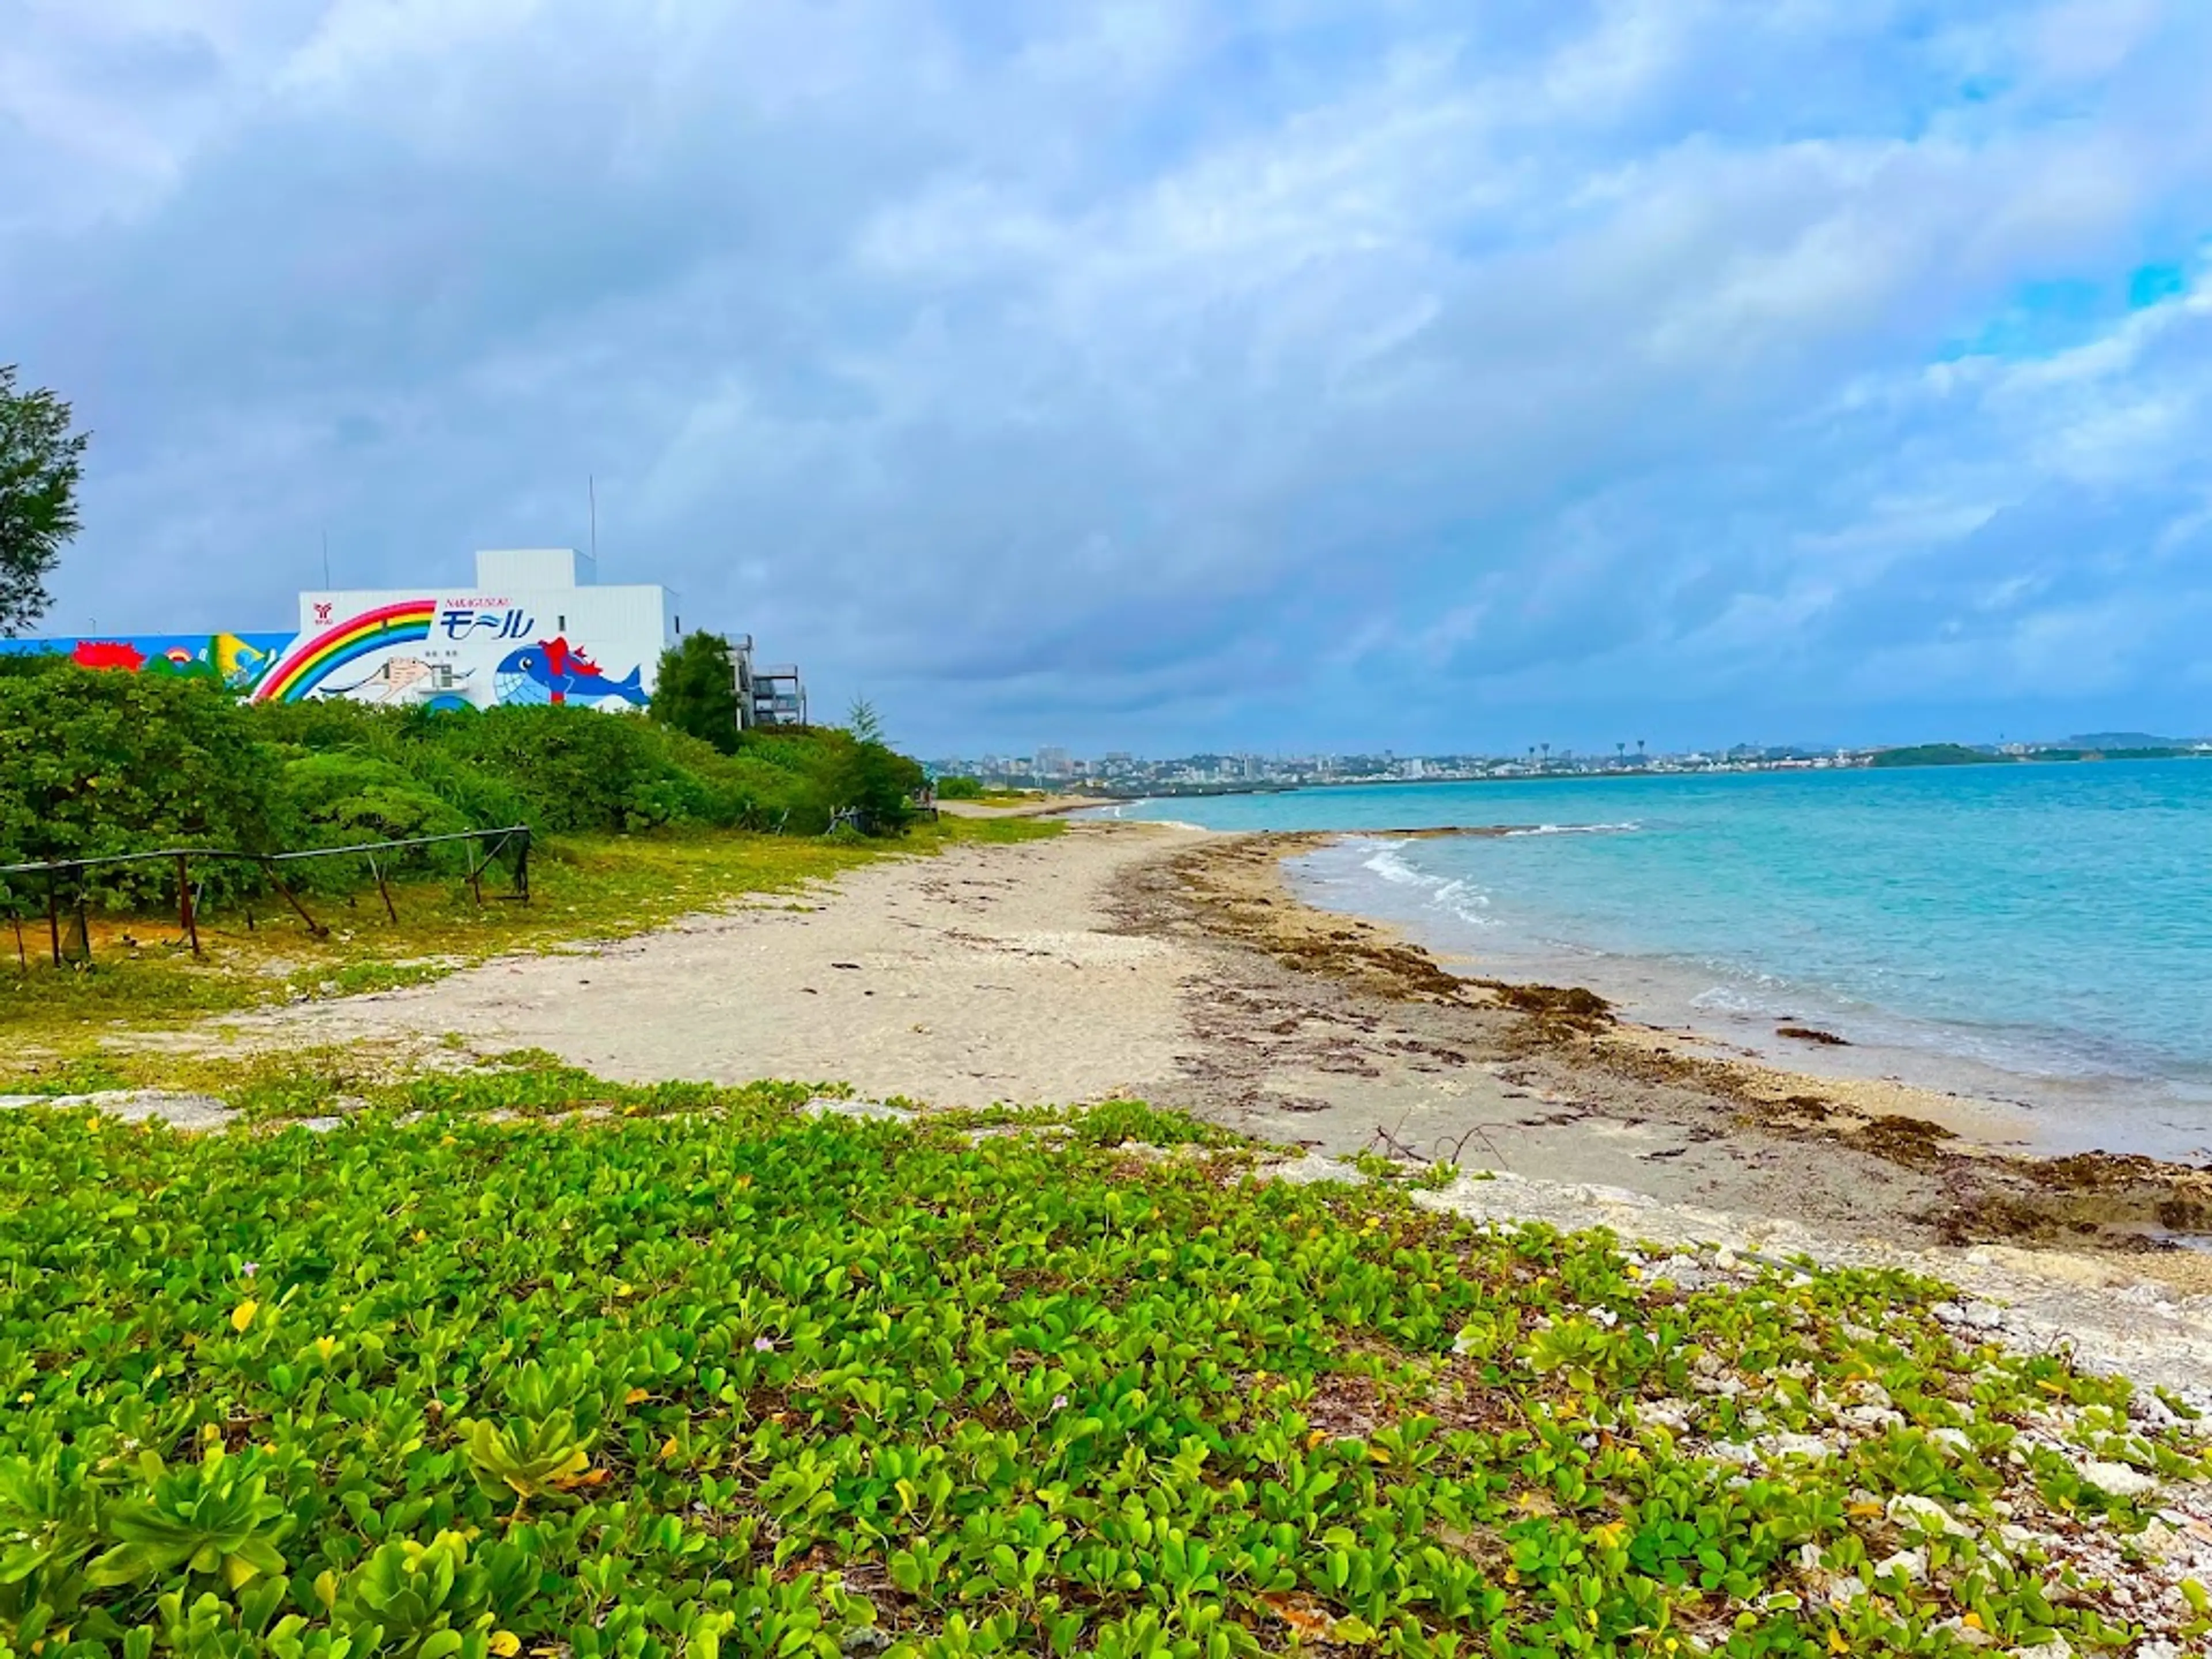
(1171,375)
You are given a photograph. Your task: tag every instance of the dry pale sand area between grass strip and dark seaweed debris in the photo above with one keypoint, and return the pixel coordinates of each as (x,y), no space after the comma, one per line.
(985,974)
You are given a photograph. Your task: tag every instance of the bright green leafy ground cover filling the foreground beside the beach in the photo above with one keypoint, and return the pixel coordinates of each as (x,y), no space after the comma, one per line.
(523,1361)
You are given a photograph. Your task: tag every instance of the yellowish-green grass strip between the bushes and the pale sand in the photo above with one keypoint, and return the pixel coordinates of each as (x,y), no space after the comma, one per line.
(583,888)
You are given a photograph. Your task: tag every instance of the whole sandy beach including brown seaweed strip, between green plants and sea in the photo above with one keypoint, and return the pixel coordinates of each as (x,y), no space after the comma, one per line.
(1173,966)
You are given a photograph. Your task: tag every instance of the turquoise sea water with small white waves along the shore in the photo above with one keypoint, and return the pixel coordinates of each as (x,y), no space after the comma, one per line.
(2041,935)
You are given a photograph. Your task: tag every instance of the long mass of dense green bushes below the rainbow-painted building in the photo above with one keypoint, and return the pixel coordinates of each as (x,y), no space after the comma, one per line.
(98,764)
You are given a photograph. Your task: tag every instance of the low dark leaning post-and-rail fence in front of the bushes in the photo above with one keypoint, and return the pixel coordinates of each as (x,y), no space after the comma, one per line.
(67,912)
